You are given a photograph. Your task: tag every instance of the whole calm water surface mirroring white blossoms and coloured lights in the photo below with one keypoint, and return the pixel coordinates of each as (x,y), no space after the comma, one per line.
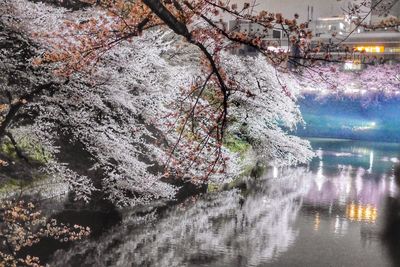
(342,210)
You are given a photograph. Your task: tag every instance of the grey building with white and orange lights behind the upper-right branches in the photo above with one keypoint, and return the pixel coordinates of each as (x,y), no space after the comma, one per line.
(330,26)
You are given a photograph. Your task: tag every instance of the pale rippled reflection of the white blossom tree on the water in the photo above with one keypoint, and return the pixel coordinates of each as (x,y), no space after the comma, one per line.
(217,229)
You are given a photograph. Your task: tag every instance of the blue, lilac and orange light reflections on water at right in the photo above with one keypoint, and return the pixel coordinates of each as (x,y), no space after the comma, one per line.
(343,219)
